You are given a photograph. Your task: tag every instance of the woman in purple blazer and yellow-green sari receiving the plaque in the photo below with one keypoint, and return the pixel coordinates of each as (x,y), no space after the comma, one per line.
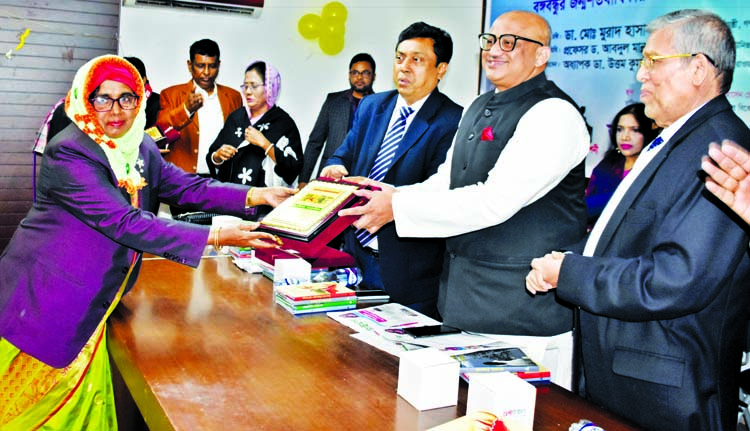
(79,249)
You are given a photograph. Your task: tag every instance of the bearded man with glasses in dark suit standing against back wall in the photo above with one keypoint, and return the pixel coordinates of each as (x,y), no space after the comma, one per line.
(336,116)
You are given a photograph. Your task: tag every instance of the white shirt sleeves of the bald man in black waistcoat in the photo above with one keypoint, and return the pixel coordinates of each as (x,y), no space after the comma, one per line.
(549,141)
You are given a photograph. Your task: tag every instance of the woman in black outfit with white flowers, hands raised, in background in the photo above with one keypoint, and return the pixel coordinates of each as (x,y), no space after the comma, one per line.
(260,139)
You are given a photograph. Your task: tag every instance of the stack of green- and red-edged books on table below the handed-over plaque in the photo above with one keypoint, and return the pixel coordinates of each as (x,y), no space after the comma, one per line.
(315,297)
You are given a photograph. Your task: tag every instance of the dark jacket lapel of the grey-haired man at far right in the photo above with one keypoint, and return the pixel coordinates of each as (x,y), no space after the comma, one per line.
(644,178)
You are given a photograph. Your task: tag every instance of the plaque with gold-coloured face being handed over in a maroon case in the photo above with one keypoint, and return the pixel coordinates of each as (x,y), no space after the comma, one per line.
(308,212)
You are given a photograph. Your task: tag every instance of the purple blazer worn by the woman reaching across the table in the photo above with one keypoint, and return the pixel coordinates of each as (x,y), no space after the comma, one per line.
(72,252)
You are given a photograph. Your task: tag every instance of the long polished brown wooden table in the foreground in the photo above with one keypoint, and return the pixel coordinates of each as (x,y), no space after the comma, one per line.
(208,349)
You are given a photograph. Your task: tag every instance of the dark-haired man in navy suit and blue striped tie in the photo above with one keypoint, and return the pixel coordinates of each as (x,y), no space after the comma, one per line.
(408,269)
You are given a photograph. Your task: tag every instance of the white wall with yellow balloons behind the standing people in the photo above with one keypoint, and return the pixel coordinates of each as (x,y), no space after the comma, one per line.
(161,38)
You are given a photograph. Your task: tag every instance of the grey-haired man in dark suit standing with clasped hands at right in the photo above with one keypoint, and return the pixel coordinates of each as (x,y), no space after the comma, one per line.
(662,281)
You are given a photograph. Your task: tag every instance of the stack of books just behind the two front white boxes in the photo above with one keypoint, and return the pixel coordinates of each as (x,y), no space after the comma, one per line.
(505,359)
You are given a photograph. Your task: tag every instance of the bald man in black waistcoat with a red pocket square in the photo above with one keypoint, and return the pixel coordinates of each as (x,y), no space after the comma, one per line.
(512,186)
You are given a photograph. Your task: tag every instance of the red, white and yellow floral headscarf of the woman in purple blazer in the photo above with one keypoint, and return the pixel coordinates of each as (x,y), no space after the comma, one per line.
(122,152)
